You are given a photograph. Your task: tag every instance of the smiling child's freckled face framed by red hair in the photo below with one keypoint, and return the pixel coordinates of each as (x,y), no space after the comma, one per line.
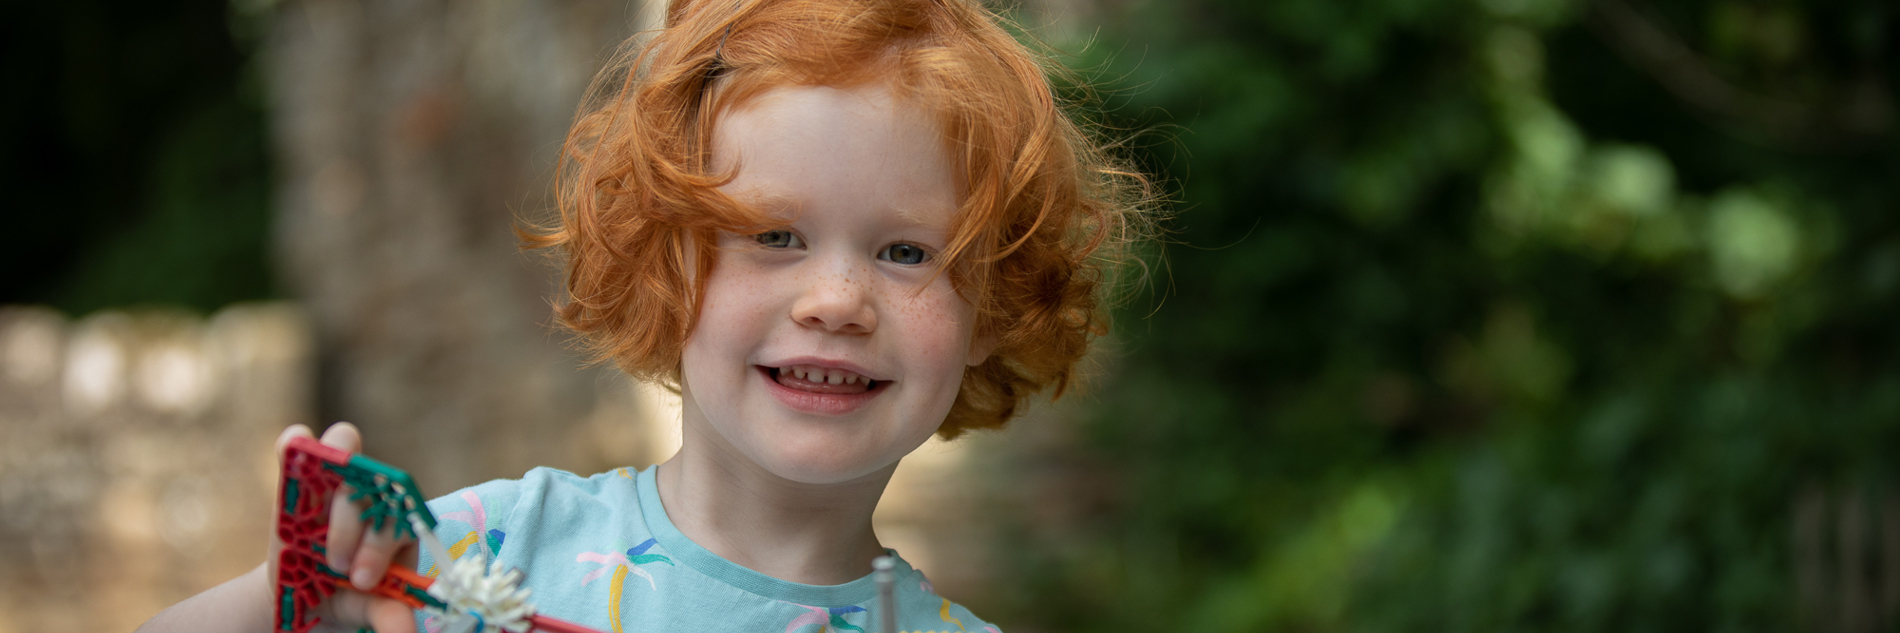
(822,355)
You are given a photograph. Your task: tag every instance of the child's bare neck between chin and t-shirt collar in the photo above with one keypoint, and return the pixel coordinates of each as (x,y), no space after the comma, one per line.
(793,531)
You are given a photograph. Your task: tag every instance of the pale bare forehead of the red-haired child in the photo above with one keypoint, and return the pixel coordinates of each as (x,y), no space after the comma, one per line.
(837,147)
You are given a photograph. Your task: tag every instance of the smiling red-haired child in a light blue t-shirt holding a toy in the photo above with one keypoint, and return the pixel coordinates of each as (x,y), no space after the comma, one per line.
(835,227)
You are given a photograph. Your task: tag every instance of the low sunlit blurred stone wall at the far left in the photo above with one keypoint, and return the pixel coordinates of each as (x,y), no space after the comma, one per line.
(136,461)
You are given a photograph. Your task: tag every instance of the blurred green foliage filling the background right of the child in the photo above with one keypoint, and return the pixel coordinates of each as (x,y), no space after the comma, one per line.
(1489,316)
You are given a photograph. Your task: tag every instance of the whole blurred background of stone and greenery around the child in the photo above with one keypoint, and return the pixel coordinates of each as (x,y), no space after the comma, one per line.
(1472,316)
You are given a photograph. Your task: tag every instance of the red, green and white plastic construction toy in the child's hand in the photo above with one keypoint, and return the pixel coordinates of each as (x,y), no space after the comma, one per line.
(470,596)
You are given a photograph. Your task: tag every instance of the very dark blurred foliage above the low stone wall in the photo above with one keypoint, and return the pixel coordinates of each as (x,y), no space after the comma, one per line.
(136,159)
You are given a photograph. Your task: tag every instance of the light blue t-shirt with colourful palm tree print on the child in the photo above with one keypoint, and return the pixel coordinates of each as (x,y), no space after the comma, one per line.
(603,552)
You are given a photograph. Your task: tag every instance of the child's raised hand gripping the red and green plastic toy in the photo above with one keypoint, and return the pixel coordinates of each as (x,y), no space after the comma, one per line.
(356,552)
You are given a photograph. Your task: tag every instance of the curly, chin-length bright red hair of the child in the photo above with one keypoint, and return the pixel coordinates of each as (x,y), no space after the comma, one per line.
(1035,244)
